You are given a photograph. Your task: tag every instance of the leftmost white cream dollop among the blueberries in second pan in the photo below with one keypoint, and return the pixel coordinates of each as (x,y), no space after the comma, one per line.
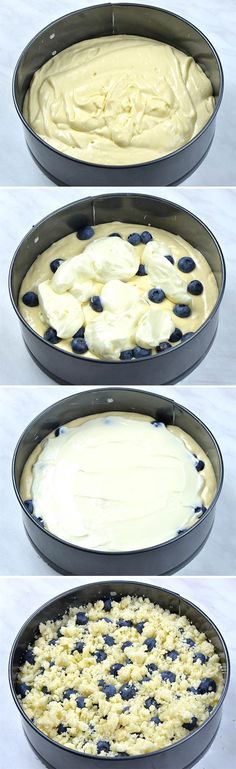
(62,311)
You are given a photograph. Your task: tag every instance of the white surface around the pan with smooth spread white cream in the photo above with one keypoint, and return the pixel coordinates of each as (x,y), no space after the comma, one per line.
(215,406)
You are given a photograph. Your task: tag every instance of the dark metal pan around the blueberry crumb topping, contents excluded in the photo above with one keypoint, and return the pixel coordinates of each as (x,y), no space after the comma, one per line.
(181,755)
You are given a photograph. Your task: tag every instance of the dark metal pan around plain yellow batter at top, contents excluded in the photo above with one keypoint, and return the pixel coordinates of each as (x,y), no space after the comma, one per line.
(118,19)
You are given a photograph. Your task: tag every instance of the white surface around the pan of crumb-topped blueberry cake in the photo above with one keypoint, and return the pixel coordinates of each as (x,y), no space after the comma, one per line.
(20,598)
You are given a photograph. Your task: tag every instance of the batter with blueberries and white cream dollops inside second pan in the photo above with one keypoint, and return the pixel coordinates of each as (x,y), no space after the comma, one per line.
(116,291)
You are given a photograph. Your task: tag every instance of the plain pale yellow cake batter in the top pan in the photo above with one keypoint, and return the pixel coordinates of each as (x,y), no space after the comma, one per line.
(119,99)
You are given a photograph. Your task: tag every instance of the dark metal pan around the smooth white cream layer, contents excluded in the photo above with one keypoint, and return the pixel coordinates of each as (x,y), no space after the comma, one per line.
(165,558)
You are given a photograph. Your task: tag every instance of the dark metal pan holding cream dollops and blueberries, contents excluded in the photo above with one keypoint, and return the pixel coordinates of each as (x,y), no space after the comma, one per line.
(163,368)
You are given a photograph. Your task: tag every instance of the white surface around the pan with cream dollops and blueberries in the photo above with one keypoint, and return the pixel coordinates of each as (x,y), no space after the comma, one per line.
(20,209)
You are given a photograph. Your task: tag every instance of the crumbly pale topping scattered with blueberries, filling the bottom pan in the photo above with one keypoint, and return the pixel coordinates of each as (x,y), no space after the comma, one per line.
(121,676)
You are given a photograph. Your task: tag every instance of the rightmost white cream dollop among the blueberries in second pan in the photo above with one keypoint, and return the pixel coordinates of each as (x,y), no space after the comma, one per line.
(163,273)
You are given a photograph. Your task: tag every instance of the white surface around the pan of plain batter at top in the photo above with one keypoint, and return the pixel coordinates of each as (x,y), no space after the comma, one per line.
(22,19)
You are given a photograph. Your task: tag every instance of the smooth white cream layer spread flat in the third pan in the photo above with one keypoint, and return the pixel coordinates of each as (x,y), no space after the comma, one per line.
(116,483)
